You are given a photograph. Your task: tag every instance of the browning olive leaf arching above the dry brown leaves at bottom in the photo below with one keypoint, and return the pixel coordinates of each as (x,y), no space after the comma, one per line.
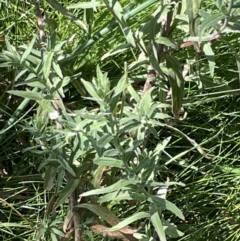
(101,211)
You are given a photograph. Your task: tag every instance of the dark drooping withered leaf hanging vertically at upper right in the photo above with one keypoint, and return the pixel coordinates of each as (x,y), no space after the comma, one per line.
(176,82)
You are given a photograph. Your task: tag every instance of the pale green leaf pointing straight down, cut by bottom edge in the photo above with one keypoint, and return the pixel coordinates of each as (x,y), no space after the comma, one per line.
(157,223)
